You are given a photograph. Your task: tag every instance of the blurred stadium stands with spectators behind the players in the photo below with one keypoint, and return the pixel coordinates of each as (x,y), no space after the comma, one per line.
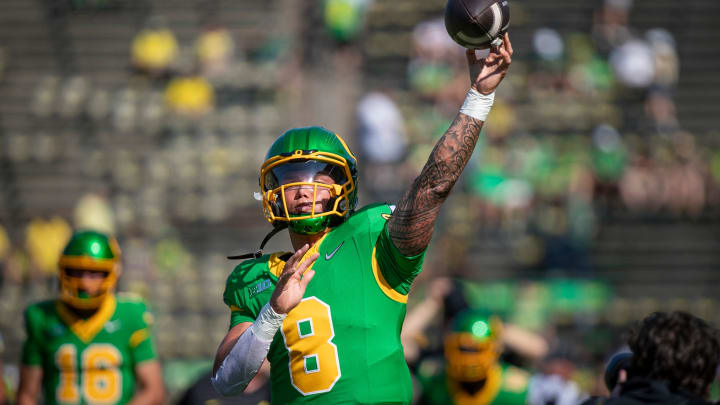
(592,199)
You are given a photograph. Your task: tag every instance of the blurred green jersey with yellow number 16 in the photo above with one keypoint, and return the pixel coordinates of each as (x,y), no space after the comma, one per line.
(88,361)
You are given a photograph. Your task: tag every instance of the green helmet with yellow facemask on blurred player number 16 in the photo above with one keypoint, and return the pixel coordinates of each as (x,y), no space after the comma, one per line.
(88,250)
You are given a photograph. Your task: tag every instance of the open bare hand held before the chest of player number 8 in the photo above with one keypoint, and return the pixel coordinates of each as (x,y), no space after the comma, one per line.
(293,281)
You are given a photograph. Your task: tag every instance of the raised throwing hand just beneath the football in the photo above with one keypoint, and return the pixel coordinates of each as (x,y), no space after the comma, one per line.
(487,73)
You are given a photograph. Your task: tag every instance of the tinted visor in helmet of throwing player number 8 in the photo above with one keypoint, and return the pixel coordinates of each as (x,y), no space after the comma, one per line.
(304,171)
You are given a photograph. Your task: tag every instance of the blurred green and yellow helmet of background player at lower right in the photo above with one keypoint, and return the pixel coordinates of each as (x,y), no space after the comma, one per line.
(473,346)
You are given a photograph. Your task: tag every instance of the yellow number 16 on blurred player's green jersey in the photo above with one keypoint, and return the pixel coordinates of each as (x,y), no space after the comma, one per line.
(101,380)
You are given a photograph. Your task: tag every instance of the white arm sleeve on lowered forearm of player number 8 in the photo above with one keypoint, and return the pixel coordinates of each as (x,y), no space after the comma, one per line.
(246,357)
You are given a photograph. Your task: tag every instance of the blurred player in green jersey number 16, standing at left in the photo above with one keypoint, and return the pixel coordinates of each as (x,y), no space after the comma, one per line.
(89,346)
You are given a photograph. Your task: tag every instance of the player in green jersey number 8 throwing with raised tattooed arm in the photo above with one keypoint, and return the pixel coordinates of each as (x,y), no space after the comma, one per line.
(328,317)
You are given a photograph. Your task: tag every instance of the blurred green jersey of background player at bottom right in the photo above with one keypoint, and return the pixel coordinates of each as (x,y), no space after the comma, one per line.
(505,385)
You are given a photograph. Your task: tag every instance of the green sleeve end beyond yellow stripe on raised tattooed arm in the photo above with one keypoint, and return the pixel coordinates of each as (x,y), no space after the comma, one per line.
(399,270)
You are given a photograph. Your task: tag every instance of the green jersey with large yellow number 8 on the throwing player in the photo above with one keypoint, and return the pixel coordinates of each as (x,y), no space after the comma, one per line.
(341,344)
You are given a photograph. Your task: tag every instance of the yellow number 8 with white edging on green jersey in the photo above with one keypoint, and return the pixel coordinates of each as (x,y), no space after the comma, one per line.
(307,332)
